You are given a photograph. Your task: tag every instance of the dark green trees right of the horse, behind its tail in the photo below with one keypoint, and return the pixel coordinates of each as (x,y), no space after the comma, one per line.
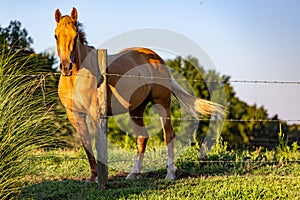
(249,125)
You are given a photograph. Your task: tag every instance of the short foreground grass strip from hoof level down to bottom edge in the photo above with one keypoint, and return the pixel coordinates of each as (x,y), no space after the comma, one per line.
(215,187)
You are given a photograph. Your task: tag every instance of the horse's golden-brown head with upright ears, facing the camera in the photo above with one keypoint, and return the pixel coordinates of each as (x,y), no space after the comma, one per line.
(66,35)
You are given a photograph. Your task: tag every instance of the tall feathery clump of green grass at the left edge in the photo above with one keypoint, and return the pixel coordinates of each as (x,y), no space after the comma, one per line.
(23,125)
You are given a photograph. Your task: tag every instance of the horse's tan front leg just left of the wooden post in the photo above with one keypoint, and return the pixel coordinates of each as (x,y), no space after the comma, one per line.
(78,120)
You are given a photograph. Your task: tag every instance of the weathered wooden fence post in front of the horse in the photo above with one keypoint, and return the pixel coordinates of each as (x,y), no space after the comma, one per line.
(101,138)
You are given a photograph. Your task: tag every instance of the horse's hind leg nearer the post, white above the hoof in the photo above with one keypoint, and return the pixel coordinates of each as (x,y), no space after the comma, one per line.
(141,140)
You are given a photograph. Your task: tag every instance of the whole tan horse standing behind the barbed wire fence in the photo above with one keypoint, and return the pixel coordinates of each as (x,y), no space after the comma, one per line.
(135,76)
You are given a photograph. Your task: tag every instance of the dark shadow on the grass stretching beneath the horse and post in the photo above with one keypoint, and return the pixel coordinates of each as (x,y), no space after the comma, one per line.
(117,187)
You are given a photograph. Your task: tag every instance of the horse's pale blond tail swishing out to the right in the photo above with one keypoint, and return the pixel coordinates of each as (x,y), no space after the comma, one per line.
(196,106)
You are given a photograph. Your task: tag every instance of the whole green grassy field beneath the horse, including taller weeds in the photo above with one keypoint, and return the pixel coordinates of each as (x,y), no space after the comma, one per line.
(223,174)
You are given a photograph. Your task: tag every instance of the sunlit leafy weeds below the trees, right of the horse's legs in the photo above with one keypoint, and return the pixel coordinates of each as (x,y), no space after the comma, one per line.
(220,160)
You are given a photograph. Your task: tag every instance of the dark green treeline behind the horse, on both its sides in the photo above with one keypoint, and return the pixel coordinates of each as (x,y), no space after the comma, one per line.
(244,130)
